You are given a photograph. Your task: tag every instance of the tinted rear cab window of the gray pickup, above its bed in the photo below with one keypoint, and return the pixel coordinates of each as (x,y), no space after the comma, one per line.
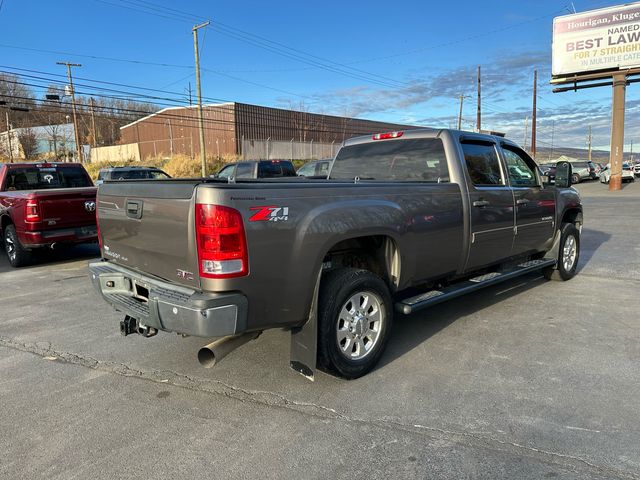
(407,160)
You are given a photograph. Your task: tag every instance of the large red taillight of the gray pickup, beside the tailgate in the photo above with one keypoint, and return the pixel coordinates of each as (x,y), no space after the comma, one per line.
(222,247)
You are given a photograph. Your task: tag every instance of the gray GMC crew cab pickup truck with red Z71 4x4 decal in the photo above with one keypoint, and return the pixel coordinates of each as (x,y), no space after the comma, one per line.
(404,221)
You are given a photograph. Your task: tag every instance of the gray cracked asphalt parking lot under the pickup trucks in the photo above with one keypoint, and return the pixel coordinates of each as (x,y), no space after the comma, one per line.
(528,379)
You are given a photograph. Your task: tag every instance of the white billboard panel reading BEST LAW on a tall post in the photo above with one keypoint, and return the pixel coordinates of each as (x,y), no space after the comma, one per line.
(603,39)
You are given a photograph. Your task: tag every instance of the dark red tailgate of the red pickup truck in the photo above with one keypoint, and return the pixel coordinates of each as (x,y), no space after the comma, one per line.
(65,207)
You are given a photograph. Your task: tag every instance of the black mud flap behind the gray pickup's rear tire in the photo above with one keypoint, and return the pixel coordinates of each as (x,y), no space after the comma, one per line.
(304,340)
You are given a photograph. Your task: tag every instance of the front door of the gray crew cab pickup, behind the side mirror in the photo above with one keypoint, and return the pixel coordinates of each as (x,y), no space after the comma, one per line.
(535,205)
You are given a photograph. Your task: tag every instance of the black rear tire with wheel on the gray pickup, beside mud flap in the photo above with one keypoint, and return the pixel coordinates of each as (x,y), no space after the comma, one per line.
(336,290)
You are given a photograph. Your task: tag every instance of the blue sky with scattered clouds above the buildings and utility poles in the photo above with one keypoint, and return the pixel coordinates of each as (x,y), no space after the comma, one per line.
(404,62)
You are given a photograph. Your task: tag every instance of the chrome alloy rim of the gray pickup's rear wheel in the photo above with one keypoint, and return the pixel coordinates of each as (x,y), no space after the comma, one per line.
(359,325)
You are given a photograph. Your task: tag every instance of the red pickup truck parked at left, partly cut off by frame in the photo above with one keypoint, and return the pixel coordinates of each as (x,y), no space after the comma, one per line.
(44,204)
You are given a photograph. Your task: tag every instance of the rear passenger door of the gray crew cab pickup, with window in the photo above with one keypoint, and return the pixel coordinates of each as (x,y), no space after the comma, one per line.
(491,205)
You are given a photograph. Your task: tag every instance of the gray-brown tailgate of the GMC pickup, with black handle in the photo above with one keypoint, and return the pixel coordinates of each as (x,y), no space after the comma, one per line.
(149,227)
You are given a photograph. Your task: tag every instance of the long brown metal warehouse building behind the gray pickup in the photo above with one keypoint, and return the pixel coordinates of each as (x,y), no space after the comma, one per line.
(248,130)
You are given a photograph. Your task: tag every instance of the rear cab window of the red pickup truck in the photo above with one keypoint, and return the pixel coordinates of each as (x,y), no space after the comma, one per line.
(39,177)
